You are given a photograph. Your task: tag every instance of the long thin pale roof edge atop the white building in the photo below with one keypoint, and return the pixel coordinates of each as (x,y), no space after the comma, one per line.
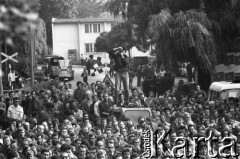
(85,20)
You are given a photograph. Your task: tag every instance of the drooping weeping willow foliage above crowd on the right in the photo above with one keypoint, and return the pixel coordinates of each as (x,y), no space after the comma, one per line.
(183,37)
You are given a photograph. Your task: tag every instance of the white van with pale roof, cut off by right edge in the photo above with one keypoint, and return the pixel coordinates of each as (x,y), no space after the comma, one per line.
(224,90)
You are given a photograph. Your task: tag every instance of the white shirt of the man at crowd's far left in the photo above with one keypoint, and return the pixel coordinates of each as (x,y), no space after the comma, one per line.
(15,112)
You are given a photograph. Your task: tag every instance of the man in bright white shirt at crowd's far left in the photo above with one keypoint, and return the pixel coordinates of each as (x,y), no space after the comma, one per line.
(15,111)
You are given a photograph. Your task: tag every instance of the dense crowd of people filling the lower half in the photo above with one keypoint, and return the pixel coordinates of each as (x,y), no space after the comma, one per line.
(86,123)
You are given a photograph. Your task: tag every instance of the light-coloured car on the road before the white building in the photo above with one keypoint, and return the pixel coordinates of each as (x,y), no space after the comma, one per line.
(66,72)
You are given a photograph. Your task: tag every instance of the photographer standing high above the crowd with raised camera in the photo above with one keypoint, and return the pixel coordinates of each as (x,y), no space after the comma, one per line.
(121,67)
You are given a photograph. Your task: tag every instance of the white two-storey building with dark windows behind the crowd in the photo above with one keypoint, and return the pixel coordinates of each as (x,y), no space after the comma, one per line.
(75,38)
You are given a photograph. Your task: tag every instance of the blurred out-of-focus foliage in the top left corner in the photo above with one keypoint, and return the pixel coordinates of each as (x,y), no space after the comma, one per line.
(17,18)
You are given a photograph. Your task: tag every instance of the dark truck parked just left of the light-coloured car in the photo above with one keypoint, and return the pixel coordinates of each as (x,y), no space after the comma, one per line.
(52,66)
